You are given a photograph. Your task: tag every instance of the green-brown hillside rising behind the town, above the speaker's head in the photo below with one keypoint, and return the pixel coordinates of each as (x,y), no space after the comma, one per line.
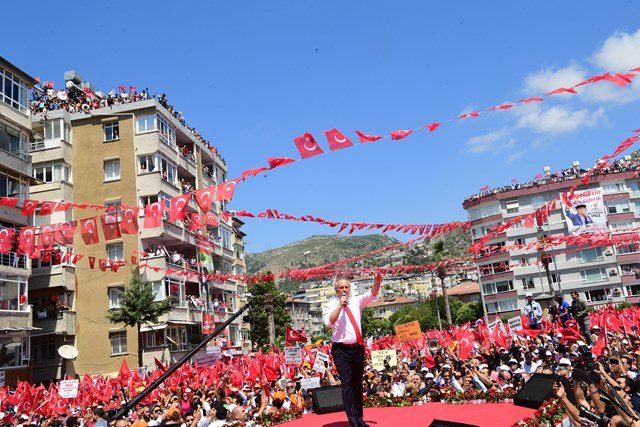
(322,250)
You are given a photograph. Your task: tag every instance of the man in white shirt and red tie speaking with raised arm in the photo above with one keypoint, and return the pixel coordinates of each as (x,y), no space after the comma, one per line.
(342,315)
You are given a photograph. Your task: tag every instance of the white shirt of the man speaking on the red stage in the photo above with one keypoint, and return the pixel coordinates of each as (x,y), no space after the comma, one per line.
(342,331)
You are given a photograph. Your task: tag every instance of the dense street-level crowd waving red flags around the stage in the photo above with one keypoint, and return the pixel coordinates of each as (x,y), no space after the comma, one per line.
(598,384)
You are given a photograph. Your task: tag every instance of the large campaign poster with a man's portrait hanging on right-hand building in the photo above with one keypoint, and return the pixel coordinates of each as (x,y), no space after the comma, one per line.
(585,212)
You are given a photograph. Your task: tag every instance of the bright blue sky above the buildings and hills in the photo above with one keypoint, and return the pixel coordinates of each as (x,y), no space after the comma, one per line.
(252,75)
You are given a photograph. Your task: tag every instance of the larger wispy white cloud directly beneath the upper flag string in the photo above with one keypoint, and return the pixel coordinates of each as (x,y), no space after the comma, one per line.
(557,119)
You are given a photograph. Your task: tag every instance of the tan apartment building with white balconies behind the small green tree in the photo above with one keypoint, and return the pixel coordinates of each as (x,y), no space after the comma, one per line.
(132,154)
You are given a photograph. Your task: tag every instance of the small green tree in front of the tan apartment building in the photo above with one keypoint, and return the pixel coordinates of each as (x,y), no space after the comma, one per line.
(138,307)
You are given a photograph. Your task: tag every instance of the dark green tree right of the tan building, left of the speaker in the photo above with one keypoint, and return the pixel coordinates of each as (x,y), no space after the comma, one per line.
(257,315)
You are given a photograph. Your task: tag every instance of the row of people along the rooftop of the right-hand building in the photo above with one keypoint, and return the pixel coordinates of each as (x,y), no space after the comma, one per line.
(629,164)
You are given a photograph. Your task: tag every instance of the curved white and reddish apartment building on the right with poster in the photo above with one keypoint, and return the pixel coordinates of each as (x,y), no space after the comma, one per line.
(600,275)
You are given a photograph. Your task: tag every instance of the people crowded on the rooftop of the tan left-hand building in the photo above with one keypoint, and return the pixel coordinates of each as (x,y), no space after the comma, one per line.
(83,100)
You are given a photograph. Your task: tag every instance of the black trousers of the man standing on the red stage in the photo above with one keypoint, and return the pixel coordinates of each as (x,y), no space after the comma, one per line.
(350,364)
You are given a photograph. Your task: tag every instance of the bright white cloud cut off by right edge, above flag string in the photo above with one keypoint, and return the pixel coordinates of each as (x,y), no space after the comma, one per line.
(619,53)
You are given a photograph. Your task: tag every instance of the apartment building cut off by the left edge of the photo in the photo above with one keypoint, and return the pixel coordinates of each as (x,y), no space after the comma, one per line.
(16,323)
